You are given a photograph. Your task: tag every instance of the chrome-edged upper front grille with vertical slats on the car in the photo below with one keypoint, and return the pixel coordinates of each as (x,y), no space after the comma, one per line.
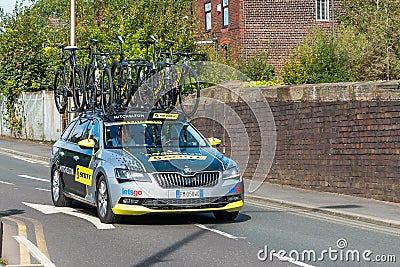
(177,180)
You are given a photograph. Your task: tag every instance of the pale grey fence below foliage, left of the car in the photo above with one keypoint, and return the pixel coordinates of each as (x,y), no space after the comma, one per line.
(40,118)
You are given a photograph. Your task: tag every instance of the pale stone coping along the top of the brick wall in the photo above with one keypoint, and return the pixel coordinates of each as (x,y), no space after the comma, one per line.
(324,92)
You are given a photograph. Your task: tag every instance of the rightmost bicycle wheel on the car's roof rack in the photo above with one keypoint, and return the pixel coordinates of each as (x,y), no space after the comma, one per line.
(189,91)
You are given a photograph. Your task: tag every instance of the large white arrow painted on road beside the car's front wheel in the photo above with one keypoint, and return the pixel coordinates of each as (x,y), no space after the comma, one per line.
(47,209)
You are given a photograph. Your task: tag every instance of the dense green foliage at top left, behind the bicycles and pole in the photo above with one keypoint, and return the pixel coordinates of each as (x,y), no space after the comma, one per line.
(29,57)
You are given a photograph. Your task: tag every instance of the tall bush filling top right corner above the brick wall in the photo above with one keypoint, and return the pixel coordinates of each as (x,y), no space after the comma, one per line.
(379,23)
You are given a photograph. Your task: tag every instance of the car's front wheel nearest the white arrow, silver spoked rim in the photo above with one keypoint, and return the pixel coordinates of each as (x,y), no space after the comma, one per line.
(103,202)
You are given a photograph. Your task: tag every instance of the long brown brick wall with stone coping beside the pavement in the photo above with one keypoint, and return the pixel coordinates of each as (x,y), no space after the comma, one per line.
(342,138)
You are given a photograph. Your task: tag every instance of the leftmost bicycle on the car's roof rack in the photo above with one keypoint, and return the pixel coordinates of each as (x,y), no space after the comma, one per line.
(69,81)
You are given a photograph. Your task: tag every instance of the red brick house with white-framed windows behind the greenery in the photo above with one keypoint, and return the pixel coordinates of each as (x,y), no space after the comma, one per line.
(248,27)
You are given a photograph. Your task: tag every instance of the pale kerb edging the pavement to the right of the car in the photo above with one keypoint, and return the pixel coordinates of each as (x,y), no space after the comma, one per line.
(343,214)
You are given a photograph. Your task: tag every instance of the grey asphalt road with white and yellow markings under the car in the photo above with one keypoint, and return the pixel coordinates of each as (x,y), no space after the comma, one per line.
(74,237)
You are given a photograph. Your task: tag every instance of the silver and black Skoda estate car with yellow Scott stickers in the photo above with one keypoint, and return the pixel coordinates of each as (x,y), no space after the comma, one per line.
(139,163)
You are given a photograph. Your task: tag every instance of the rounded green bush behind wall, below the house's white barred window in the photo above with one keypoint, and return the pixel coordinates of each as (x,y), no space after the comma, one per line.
(318,59)
